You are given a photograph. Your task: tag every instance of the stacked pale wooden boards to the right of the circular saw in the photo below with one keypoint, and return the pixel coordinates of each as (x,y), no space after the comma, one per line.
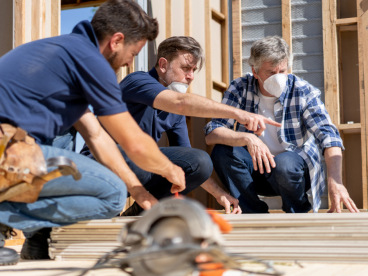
(303,237)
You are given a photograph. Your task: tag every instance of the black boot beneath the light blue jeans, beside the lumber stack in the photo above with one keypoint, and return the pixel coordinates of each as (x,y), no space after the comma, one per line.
(37,246)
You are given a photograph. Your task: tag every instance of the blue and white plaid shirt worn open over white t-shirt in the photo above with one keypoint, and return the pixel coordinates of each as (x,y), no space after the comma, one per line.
(306,126)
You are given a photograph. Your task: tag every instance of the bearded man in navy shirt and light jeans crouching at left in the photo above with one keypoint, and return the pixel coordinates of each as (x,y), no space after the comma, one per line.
(46,87)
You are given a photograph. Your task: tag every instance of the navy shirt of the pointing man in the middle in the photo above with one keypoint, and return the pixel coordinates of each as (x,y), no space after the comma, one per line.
(139,91)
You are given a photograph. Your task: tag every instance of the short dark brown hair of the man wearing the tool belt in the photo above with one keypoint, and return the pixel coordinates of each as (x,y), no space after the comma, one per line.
(124,16)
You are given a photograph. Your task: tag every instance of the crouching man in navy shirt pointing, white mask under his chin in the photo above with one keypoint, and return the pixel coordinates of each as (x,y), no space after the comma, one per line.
(158,102)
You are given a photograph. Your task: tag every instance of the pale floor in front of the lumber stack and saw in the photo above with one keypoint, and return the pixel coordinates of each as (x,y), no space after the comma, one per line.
(73,268)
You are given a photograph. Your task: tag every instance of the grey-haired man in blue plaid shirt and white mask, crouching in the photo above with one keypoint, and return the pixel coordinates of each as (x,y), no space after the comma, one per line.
(284,161)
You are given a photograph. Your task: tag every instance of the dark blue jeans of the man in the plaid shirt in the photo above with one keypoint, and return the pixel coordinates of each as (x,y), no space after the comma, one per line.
(289,179)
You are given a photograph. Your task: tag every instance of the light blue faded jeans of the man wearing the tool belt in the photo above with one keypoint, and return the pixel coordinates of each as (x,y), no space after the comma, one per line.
(99,194)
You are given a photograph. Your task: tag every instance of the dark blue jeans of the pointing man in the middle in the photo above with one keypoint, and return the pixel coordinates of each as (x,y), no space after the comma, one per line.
(196,164)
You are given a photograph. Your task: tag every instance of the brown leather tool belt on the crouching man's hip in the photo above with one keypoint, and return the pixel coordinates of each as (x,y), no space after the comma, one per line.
(23,169)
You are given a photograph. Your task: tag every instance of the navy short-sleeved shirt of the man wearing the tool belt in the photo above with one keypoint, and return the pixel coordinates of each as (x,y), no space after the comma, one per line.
(47,85)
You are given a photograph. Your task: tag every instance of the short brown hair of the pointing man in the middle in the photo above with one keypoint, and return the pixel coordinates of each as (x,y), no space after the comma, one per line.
(171,47)
